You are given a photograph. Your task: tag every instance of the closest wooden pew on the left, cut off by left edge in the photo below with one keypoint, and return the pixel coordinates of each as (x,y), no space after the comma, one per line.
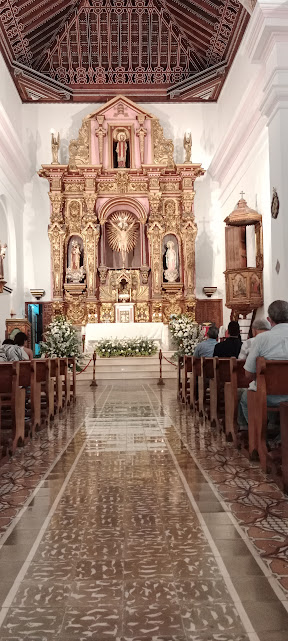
(12,398)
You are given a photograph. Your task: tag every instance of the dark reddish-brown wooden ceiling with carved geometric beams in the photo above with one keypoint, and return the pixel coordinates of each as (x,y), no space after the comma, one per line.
(149,50)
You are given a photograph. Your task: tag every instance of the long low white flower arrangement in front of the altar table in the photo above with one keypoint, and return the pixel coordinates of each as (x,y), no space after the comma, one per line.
(108,347)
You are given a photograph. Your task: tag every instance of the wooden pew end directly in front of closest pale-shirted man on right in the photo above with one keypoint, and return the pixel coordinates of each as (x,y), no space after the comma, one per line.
(237,381)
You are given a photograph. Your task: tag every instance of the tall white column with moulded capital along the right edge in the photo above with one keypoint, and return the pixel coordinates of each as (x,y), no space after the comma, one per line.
(269,46)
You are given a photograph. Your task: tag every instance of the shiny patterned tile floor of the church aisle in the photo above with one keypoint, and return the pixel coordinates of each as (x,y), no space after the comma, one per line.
(126,537)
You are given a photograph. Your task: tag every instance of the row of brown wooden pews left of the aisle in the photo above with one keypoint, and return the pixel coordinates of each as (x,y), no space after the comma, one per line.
(31,394)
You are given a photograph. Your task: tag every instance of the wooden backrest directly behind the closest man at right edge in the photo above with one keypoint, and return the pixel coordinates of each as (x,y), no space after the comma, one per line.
(272,376)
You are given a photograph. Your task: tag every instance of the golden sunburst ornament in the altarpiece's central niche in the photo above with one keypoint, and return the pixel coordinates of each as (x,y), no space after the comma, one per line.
(122,232)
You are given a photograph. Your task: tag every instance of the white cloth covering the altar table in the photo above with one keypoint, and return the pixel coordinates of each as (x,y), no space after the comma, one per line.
(97,331)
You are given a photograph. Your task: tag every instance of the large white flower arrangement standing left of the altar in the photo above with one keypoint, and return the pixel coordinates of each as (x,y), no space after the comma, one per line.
(61,340)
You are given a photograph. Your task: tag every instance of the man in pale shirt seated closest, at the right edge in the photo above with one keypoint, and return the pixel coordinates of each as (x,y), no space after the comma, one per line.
(271,345)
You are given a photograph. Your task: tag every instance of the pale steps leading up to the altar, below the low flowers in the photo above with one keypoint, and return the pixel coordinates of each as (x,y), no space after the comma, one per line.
(130,368)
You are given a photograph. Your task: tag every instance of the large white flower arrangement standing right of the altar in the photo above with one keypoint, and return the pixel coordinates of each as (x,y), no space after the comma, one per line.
(186,334)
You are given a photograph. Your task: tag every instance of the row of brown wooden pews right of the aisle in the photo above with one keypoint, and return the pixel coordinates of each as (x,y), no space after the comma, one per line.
(212,387)
